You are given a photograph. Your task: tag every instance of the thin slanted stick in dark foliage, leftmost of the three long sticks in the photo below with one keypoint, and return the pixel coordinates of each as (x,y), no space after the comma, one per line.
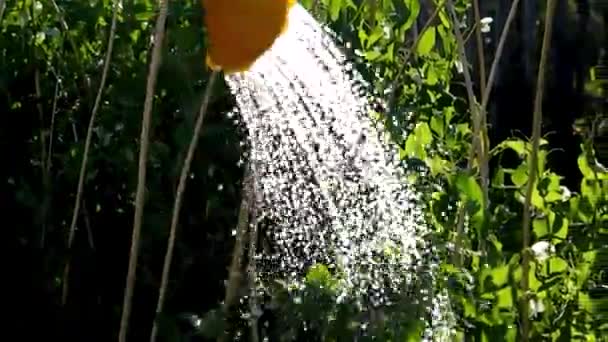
(87,147)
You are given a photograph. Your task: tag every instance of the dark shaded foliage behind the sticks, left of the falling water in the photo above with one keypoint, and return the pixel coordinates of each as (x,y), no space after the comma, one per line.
(63,43)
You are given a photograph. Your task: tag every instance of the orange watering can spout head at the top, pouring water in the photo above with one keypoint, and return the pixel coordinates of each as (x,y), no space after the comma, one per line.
(240,31)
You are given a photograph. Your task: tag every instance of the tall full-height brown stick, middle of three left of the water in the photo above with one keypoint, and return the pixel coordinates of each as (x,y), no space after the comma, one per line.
(159,35)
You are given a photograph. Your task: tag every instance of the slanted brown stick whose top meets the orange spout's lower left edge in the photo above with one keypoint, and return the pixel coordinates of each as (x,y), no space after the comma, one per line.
(181,187)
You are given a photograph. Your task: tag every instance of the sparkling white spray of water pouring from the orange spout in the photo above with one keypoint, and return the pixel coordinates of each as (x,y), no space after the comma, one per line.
(326,177)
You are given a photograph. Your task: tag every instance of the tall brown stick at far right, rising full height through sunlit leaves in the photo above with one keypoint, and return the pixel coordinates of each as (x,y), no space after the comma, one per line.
(532,168)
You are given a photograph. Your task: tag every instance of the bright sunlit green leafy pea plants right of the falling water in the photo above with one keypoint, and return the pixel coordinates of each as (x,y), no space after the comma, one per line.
(476,212)
